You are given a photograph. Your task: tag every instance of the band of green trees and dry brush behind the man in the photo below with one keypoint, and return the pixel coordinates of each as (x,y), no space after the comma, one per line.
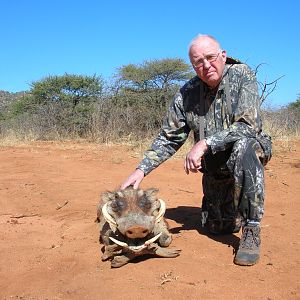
(130,108)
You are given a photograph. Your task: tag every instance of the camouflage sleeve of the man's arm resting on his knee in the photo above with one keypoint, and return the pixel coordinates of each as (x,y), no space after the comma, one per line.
(245,119)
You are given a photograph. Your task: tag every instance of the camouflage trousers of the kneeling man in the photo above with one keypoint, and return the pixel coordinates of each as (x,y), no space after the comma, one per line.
(233,186)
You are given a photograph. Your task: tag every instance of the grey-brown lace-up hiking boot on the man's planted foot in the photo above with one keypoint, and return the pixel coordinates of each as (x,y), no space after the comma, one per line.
(248,252)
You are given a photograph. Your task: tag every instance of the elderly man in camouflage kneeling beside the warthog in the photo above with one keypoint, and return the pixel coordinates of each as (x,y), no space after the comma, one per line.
(221,106)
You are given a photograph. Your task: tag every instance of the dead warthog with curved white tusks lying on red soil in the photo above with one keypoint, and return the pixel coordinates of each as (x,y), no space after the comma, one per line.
(132,224)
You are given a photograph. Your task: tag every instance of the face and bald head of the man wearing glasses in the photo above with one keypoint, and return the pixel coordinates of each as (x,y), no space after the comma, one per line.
(208,60)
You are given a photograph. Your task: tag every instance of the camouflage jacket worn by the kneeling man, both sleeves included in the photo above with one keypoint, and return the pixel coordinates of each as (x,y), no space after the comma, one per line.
(221,128)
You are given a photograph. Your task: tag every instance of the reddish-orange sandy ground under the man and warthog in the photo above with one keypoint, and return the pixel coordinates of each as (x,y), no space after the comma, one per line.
(49,241)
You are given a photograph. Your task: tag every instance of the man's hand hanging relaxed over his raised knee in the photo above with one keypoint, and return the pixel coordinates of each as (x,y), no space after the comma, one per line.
(193,158)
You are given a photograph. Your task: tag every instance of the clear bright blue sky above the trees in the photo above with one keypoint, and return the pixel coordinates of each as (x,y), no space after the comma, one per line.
(43,37)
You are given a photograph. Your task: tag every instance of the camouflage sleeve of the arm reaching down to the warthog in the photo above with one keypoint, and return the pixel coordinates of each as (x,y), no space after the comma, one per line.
(173,134)
